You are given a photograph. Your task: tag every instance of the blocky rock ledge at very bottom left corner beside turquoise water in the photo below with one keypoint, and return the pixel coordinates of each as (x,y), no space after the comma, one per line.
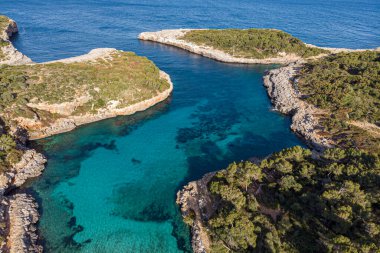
(22,216)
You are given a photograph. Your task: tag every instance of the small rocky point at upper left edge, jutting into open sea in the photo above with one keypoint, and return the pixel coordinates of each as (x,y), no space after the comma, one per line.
(9,54)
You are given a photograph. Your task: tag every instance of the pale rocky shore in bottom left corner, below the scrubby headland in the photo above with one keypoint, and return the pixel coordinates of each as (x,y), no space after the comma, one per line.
(19,211)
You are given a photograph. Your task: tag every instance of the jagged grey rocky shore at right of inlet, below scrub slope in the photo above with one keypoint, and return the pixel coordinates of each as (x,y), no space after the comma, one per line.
(286,99)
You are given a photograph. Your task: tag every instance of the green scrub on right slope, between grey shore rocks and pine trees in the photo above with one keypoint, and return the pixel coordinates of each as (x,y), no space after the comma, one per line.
(347,87)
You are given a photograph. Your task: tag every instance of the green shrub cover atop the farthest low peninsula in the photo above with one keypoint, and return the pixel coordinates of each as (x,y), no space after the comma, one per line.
(251,43)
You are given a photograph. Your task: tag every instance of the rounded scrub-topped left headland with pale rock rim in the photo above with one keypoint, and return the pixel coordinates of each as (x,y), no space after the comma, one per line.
(55,97)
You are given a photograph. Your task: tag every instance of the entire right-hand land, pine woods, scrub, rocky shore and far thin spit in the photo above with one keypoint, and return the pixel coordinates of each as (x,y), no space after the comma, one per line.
(296,200)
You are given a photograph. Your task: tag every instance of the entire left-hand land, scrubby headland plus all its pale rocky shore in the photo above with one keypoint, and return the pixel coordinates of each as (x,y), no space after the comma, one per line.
(42,99)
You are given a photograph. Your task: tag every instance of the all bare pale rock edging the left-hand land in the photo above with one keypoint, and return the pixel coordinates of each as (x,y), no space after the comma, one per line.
(19,211)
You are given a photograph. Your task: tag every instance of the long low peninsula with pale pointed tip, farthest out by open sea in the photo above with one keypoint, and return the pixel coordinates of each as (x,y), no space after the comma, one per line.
(247,46)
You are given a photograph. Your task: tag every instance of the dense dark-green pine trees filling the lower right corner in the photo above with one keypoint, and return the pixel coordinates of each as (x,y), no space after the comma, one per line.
(292,202)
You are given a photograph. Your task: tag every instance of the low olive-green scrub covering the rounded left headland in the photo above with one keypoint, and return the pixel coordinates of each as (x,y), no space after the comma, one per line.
(123,77)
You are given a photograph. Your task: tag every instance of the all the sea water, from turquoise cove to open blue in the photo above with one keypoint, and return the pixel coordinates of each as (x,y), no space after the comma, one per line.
(110,186)
